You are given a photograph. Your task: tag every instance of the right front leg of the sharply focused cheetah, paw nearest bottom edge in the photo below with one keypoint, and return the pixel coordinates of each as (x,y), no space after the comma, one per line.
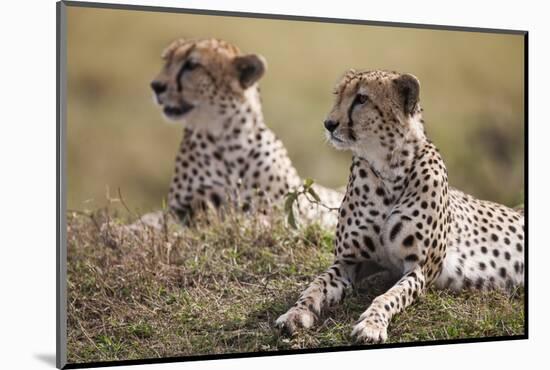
(373,324)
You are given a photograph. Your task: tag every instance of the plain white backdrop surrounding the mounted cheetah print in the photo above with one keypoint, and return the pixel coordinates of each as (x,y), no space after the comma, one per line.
(27,182)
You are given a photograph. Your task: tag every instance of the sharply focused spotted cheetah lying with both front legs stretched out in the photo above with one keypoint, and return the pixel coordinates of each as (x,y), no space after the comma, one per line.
(400,215)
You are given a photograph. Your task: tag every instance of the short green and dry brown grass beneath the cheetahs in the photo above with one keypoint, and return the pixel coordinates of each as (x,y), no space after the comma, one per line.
(218,287)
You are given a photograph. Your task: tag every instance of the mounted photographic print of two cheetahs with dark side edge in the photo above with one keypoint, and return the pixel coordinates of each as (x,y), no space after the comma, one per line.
(235,184)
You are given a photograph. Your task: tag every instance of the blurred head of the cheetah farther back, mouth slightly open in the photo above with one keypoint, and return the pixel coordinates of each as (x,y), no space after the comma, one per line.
(202,80)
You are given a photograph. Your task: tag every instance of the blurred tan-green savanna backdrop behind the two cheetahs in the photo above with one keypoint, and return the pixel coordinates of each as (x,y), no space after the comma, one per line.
(471,92)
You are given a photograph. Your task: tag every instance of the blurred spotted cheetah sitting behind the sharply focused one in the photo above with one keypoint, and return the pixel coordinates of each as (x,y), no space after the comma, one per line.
(228,155)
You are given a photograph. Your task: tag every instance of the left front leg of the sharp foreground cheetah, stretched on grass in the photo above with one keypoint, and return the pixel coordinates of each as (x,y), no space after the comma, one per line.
(326,290)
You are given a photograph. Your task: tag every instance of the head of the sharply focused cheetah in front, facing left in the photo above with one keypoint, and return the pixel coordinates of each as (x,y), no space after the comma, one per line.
(374,113)
